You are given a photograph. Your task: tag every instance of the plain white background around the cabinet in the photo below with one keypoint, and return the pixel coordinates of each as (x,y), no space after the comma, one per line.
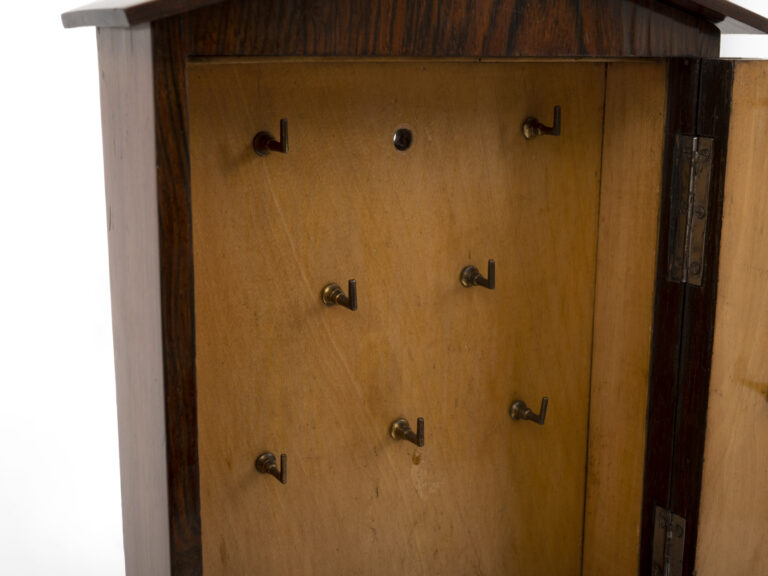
(59,472)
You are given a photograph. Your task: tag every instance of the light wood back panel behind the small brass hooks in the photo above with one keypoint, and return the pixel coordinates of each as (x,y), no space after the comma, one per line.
(278,371)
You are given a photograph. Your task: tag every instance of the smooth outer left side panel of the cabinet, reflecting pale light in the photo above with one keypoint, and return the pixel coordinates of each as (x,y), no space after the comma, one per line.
(125,62)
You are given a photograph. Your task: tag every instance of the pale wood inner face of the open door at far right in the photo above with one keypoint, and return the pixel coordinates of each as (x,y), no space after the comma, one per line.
(734,501)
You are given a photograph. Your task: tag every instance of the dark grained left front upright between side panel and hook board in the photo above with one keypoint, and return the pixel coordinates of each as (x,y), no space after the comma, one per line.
(177,290)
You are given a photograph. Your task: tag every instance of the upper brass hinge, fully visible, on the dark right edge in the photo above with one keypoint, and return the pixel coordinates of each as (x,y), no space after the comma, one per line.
(691,177)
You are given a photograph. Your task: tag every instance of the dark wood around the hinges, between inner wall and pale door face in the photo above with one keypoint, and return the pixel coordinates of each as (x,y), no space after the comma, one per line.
(684,318)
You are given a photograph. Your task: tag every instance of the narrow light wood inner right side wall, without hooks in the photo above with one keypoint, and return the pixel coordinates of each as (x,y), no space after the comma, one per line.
(635,106)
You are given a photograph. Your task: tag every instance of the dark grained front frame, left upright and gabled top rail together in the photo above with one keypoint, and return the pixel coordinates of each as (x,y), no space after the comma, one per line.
(302,28)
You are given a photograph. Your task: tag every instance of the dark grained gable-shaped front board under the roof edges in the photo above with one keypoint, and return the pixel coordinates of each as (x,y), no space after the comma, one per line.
(451,28)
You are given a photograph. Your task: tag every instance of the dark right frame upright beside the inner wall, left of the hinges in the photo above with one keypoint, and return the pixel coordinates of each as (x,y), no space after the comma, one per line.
(682,82)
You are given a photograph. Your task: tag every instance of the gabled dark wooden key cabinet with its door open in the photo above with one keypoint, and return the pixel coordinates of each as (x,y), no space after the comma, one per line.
(326,217)
